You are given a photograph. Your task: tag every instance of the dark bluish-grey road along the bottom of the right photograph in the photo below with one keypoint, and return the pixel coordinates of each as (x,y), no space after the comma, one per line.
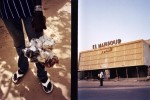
(118,93)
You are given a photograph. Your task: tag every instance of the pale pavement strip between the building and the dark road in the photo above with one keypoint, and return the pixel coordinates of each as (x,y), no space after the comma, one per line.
(133,82)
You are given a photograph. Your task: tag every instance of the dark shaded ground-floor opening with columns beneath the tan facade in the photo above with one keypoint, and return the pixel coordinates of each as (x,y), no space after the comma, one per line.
(124,72)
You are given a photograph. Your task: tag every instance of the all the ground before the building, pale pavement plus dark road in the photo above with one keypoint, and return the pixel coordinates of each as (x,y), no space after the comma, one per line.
(132,89)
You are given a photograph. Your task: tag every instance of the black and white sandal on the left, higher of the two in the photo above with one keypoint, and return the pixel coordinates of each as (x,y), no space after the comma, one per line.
(17,76)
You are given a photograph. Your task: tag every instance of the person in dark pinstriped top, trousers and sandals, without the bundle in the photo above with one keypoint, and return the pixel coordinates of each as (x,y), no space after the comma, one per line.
(15,14)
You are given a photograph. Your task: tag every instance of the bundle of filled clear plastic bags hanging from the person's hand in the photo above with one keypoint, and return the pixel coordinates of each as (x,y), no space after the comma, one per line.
(40,50)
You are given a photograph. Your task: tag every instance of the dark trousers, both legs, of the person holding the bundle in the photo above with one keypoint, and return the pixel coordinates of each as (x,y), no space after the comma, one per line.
(15,28)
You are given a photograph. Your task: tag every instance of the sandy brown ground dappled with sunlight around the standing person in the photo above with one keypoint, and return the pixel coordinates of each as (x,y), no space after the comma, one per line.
(58,14)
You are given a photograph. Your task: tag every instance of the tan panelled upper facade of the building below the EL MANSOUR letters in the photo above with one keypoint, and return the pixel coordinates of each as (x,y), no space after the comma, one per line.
(133,53)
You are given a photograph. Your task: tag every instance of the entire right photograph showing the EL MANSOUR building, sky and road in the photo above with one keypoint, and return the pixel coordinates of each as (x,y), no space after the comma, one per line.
(113,50)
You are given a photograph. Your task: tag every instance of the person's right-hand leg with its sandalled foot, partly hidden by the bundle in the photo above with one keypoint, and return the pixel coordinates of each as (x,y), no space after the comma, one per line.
(41,73)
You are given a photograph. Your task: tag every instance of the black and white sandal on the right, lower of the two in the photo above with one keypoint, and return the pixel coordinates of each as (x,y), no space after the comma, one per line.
(47,86)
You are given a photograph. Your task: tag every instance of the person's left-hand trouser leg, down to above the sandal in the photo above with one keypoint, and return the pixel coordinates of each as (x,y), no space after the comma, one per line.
(14,26)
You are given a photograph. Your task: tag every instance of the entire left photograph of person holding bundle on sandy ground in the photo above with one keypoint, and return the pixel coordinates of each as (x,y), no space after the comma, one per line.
(35,49)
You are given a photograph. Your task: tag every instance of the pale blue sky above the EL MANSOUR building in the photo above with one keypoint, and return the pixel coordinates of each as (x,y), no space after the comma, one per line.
(104,20)
